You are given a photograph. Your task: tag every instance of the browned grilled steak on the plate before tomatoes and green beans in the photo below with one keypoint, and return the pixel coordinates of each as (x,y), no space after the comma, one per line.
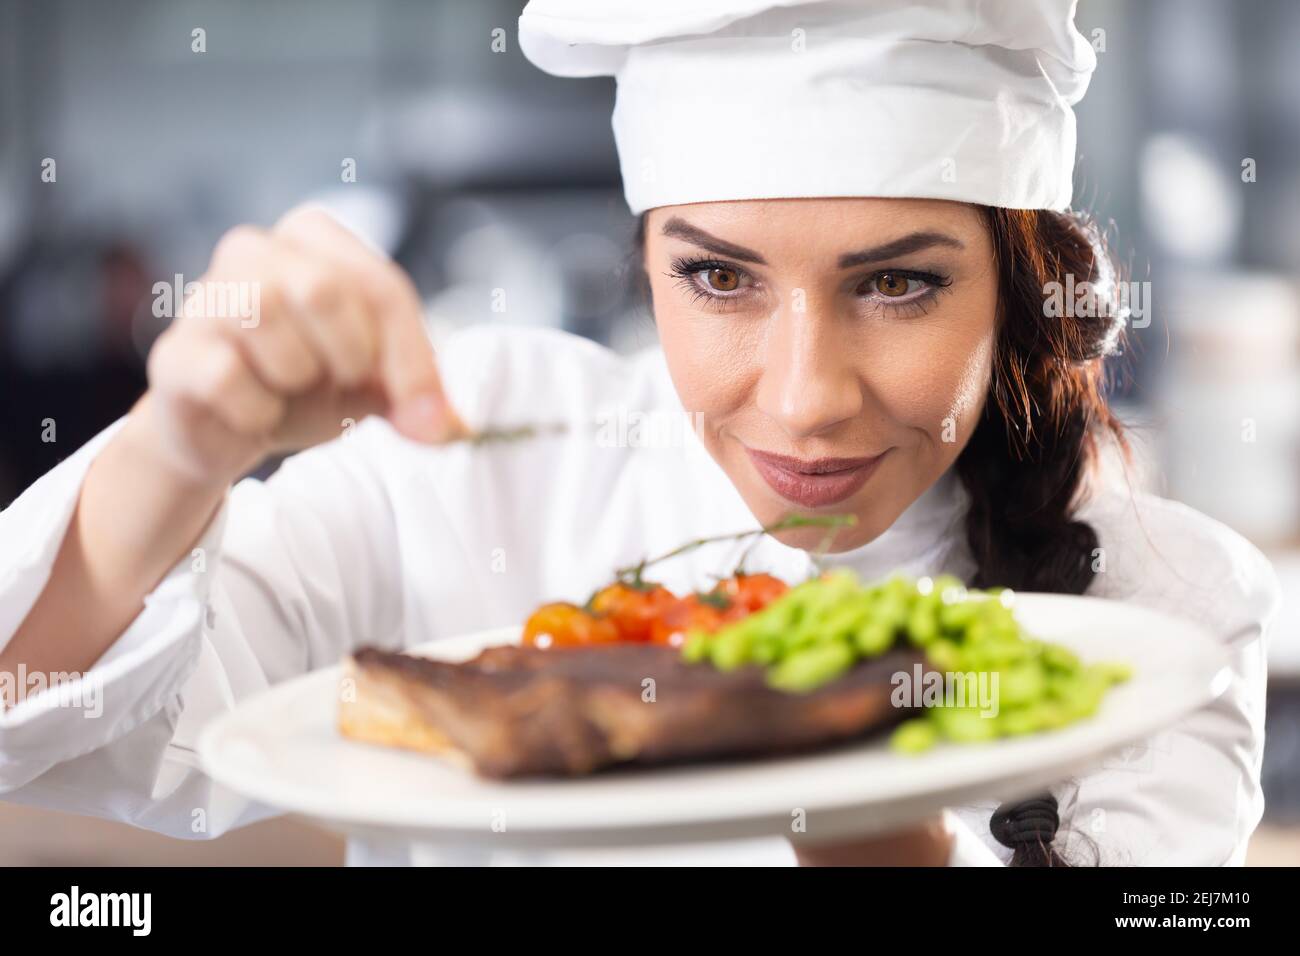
(522,712)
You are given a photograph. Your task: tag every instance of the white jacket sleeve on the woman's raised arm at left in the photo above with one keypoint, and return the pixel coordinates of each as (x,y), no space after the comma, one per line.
(289,576)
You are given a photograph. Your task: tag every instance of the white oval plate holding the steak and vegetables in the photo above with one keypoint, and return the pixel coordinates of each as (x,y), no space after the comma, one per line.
(283,749)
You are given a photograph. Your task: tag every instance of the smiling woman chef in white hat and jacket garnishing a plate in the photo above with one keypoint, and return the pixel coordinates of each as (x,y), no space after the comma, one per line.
(852,215)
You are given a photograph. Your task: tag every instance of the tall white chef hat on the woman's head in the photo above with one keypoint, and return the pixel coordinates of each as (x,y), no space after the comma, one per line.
(764,100)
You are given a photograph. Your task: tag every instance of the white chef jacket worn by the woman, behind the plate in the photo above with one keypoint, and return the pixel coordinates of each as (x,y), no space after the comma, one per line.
(374,539)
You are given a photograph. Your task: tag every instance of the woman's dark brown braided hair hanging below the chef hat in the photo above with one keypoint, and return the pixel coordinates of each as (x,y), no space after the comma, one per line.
(1041,432)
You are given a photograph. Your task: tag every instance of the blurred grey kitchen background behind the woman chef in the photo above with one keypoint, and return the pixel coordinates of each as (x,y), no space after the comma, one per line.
(478,172)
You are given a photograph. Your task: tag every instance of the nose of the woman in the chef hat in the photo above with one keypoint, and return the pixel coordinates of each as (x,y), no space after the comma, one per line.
(809,383)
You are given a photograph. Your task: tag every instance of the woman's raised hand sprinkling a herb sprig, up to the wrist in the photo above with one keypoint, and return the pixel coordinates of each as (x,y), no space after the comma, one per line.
(296,332)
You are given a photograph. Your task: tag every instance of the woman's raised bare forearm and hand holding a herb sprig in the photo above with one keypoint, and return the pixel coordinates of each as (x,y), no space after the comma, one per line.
(296,332)
